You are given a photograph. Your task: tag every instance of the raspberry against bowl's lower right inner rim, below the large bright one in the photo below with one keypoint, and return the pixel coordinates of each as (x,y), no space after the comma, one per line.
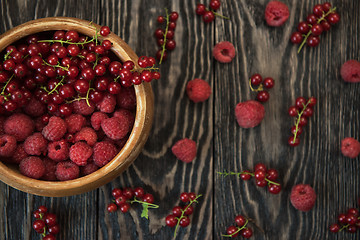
(104,152)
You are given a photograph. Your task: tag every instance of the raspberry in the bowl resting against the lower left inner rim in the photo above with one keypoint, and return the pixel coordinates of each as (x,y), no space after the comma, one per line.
(32,167)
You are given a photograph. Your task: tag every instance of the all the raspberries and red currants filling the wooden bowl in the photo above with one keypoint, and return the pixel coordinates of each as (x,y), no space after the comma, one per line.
(66,109)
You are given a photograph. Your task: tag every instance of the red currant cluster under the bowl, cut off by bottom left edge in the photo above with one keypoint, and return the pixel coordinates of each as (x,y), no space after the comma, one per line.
(45,223)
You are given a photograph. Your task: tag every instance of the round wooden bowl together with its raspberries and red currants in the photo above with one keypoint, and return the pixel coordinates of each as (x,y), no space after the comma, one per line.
(76,106)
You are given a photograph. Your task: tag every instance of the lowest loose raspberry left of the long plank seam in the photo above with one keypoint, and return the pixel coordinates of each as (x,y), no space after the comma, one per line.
(184,150)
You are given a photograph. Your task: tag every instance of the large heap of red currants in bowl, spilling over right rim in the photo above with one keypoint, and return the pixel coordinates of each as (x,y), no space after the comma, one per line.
(68,67)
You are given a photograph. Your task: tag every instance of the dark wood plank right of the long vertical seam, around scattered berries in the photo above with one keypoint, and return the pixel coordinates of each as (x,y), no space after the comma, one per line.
(317,160)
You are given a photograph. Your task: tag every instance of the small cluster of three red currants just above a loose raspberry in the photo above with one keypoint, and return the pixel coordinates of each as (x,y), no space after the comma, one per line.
(256,80)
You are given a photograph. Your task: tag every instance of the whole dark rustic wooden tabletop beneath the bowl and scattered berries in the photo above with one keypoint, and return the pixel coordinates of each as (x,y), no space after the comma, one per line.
(222,144)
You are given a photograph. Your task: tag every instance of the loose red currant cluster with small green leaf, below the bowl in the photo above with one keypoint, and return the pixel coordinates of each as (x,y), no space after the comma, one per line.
(124,197)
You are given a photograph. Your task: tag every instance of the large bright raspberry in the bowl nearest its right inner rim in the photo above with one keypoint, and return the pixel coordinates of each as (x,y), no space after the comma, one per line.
(115,127)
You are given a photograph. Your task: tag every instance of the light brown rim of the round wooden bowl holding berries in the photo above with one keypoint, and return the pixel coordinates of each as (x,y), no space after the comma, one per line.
(140,132)
